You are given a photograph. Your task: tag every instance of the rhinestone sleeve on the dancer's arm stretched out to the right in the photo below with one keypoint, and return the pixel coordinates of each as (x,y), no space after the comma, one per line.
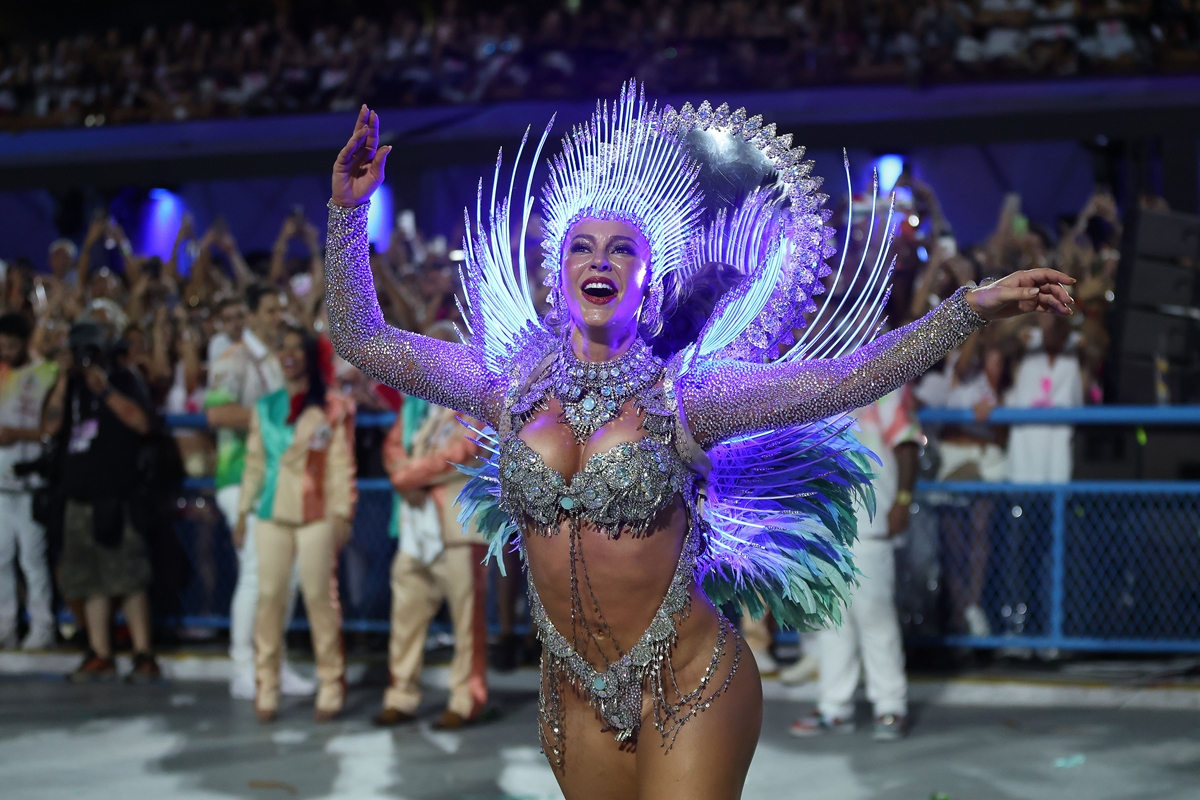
(725,399)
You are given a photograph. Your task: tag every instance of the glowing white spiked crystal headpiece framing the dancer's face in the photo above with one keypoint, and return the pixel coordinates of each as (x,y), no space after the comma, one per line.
(623,166)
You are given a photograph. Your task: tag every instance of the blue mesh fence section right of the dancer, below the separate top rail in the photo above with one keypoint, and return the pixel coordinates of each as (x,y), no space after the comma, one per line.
(1095,566)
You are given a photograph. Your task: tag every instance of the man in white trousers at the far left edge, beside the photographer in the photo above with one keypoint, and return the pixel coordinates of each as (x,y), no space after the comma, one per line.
(25,383)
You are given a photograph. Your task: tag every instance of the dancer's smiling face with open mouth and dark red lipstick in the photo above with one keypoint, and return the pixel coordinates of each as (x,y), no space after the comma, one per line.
(605,274)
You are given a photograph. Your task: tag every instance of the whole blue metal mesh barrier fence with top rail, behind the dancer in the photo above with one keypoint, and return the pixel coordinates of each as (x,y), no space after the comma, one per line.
(1101,566)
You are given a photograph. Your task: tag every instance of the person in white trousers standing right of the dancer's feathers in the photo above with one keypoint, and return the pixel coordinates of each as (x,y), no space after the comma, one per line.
(869,639)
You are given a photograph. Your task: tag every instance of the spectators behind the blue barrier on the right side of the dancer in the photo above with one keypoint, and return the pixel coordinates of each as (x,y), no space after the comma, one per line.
(1028,363)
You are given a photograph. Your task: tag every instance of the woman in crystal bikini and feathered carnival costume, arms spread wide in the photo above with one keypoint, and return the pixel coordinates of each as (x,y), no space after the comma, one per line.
(644,494)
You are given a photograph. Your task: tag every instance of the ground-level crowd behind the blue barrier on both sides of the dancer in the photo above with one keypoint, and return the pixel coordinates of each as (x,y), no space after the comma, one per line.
(173,320)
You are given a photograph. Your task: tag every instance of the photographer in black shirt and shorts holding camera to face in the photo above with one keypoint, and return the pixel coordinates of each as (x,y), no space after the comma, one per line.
(99,413)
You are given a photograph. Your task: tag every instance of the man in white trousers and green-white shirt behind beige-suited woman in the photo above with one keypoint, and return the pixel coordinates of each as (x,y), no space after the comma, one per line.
(247,371)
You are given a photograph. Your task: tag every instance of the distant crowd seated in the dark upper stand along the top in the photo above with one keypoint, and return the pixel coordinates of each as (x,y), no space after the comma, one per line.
(459,53)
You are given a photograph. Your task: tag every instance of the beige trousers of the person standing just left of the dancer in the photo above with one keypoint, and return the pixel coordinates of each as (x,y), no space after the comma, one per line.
(459,578)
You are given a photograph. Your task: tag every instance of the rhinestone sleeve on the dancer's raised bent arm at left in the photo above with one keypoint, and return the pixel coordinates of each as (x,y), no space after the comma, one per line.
(445,374)
